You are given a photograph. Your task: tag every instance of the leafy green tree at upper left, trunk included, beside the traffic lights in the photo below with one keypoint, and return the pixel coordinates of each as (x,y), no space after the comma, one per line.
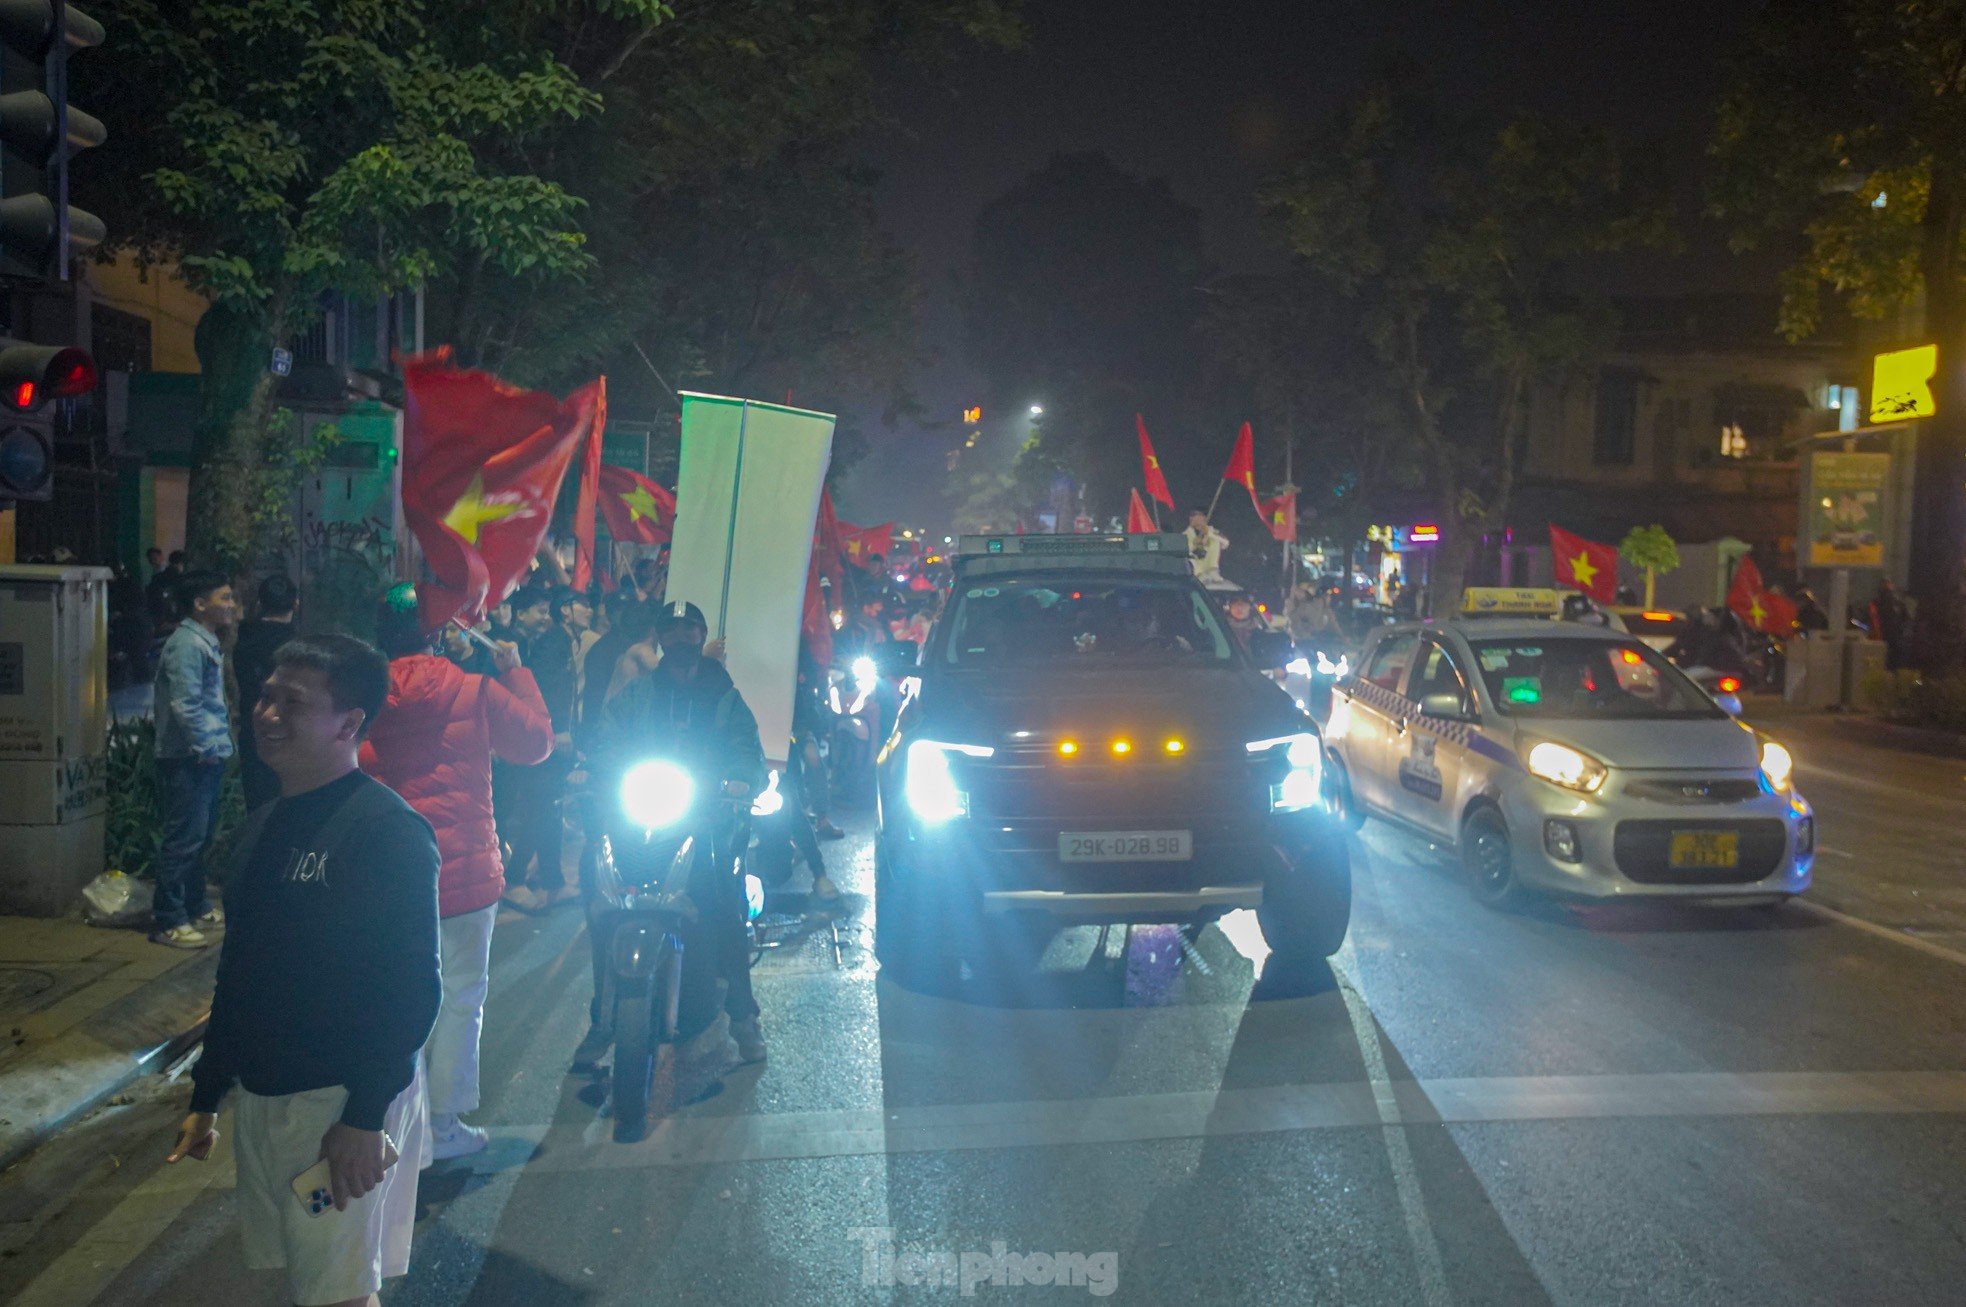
(288,152)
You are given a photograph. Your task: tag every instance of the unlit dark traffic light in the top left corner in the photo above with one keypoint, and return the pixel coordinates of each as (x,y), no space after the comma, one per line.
(40,133)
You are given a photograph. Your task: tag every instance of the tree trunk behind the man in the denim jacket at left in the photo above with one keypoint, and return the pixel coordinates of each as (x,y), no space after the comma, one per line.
(237,400)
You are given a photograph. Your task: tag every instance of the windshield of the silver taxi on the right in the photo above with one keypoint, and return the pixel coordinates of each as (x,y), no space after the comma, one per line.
(1588,679)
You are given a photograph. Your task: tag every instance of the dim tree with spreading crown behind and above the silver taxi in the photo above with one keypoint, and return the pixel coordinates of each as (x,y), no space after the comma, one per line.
(1452,253)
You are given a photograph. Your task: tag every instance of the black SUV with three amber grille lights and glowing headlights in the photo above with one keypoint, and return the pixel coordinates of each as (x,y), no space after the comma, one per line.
(1086,744)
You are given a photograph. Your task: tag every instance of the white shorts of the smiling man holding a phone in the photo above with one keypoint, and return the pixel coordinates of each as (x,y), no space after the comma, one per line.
(337,1255)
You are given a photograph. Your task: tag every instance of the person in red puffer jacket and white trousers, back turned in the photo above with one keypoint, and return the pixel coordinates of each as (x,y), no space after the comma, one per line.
(434,744)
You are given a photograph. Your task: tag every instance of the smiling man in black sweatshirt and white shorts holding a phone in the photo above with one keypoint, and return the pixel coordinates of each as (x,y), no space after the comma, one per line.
(327,990)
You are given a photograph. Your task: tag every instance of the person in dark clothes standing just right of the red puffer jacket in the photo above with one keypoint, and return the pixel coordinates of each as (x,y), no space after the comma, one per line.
(536,828)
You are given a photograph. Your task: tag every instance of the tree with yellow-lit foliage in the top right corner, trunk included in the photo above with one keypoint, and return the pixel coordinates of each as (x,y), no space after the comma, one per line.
(1845,135)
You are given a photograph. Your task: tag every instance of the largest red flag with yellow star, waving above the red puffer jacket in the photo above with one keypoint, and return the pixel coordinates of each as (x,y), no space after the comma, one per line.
(483,469)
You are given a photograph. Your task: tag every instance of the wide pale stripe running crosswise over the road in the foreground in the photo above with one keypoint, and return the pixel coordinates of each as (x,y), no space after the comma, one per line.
(1214,1113)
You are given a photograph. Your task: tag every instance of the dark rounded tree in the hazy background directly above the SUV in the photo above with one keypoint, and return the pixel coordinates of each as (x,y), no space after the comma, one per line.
(1084,294)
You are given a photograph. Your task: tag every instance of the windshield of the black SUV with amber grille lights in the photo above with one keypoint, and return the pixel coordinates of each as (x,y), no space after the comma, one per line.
(1082,622)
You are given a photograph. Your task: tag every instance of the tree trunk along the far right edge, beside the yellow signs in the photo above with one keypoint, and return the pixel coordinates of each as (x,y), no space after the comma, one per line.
(1939,488)
